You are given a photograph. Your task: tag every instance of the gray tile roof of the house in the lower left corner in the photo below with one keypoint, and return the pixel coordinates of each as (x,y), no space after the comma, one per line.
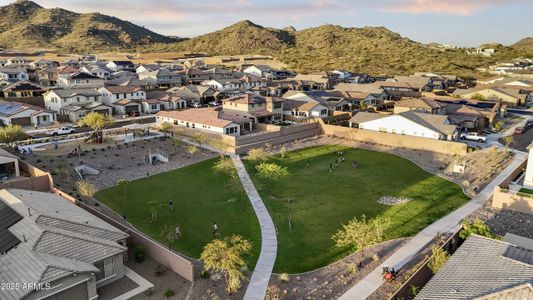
(57,239)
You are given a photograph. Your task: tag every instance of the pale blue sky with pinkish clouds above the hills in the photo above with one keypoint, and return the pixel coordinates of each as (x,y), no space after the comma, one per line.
(455,22)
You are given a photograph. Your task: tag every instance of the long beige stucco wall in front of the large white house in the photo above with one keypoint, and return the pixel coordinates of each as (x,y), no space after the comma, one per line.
(395,140)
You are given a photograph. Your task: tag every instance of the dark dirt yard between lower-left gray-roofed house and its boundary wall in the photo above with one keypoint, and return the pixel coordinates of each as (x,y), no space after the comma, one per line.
(166,280)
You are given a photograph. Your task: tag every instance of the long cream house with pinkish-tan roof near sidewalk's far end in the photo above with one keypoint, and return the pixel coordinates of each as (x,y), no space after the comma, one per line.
(205,119)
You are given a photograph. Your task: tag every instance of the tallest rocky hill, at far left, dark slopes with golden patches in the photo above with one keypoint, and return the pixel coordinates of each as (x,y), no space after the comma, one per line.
(25,24)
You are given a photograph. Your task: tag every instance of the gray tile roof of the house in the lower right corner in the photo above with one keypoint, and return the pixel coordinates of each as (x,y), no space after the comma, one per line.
(477,269)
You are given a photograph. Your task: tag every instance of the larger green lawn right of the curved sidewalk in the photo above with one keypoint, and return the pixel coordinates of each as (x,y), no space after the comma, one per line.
(322,201)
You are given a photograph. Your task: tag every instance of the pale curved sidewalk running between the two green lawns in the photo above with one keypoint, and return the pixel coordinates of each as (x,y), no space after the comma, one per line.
(269,244)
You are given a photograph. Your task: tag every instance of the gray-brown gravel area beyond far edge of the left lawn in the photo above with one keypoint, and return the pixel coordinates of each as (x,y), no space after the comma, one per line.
(114,162)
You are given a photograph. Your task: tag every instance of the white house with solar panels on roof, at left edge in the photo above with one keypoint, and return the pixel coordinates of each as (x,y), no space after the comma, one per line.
(12,113)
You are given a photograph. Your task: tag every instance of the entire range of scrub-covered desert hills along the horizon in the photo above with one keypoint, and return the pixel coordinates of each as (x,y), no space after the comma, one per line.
(376,50)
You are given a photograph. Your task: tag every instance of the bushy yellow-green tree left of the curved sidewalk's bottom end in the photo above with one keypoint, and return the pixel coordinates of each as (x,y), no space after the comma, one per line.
(227,256)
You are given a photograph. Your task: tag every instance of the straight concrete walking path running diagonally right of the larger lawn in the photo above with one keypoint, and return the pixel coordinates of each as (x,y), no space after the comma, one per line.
(373,281)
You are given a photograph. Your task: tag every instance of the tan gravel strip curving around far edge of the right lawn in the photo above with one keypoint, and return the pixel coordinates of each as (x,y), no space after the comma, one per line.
(480,166)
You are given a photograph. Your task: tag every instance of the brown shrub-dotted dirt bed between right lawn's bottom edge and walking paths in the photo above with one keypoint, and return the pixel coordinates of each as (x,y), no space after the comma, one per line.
(334,280)
